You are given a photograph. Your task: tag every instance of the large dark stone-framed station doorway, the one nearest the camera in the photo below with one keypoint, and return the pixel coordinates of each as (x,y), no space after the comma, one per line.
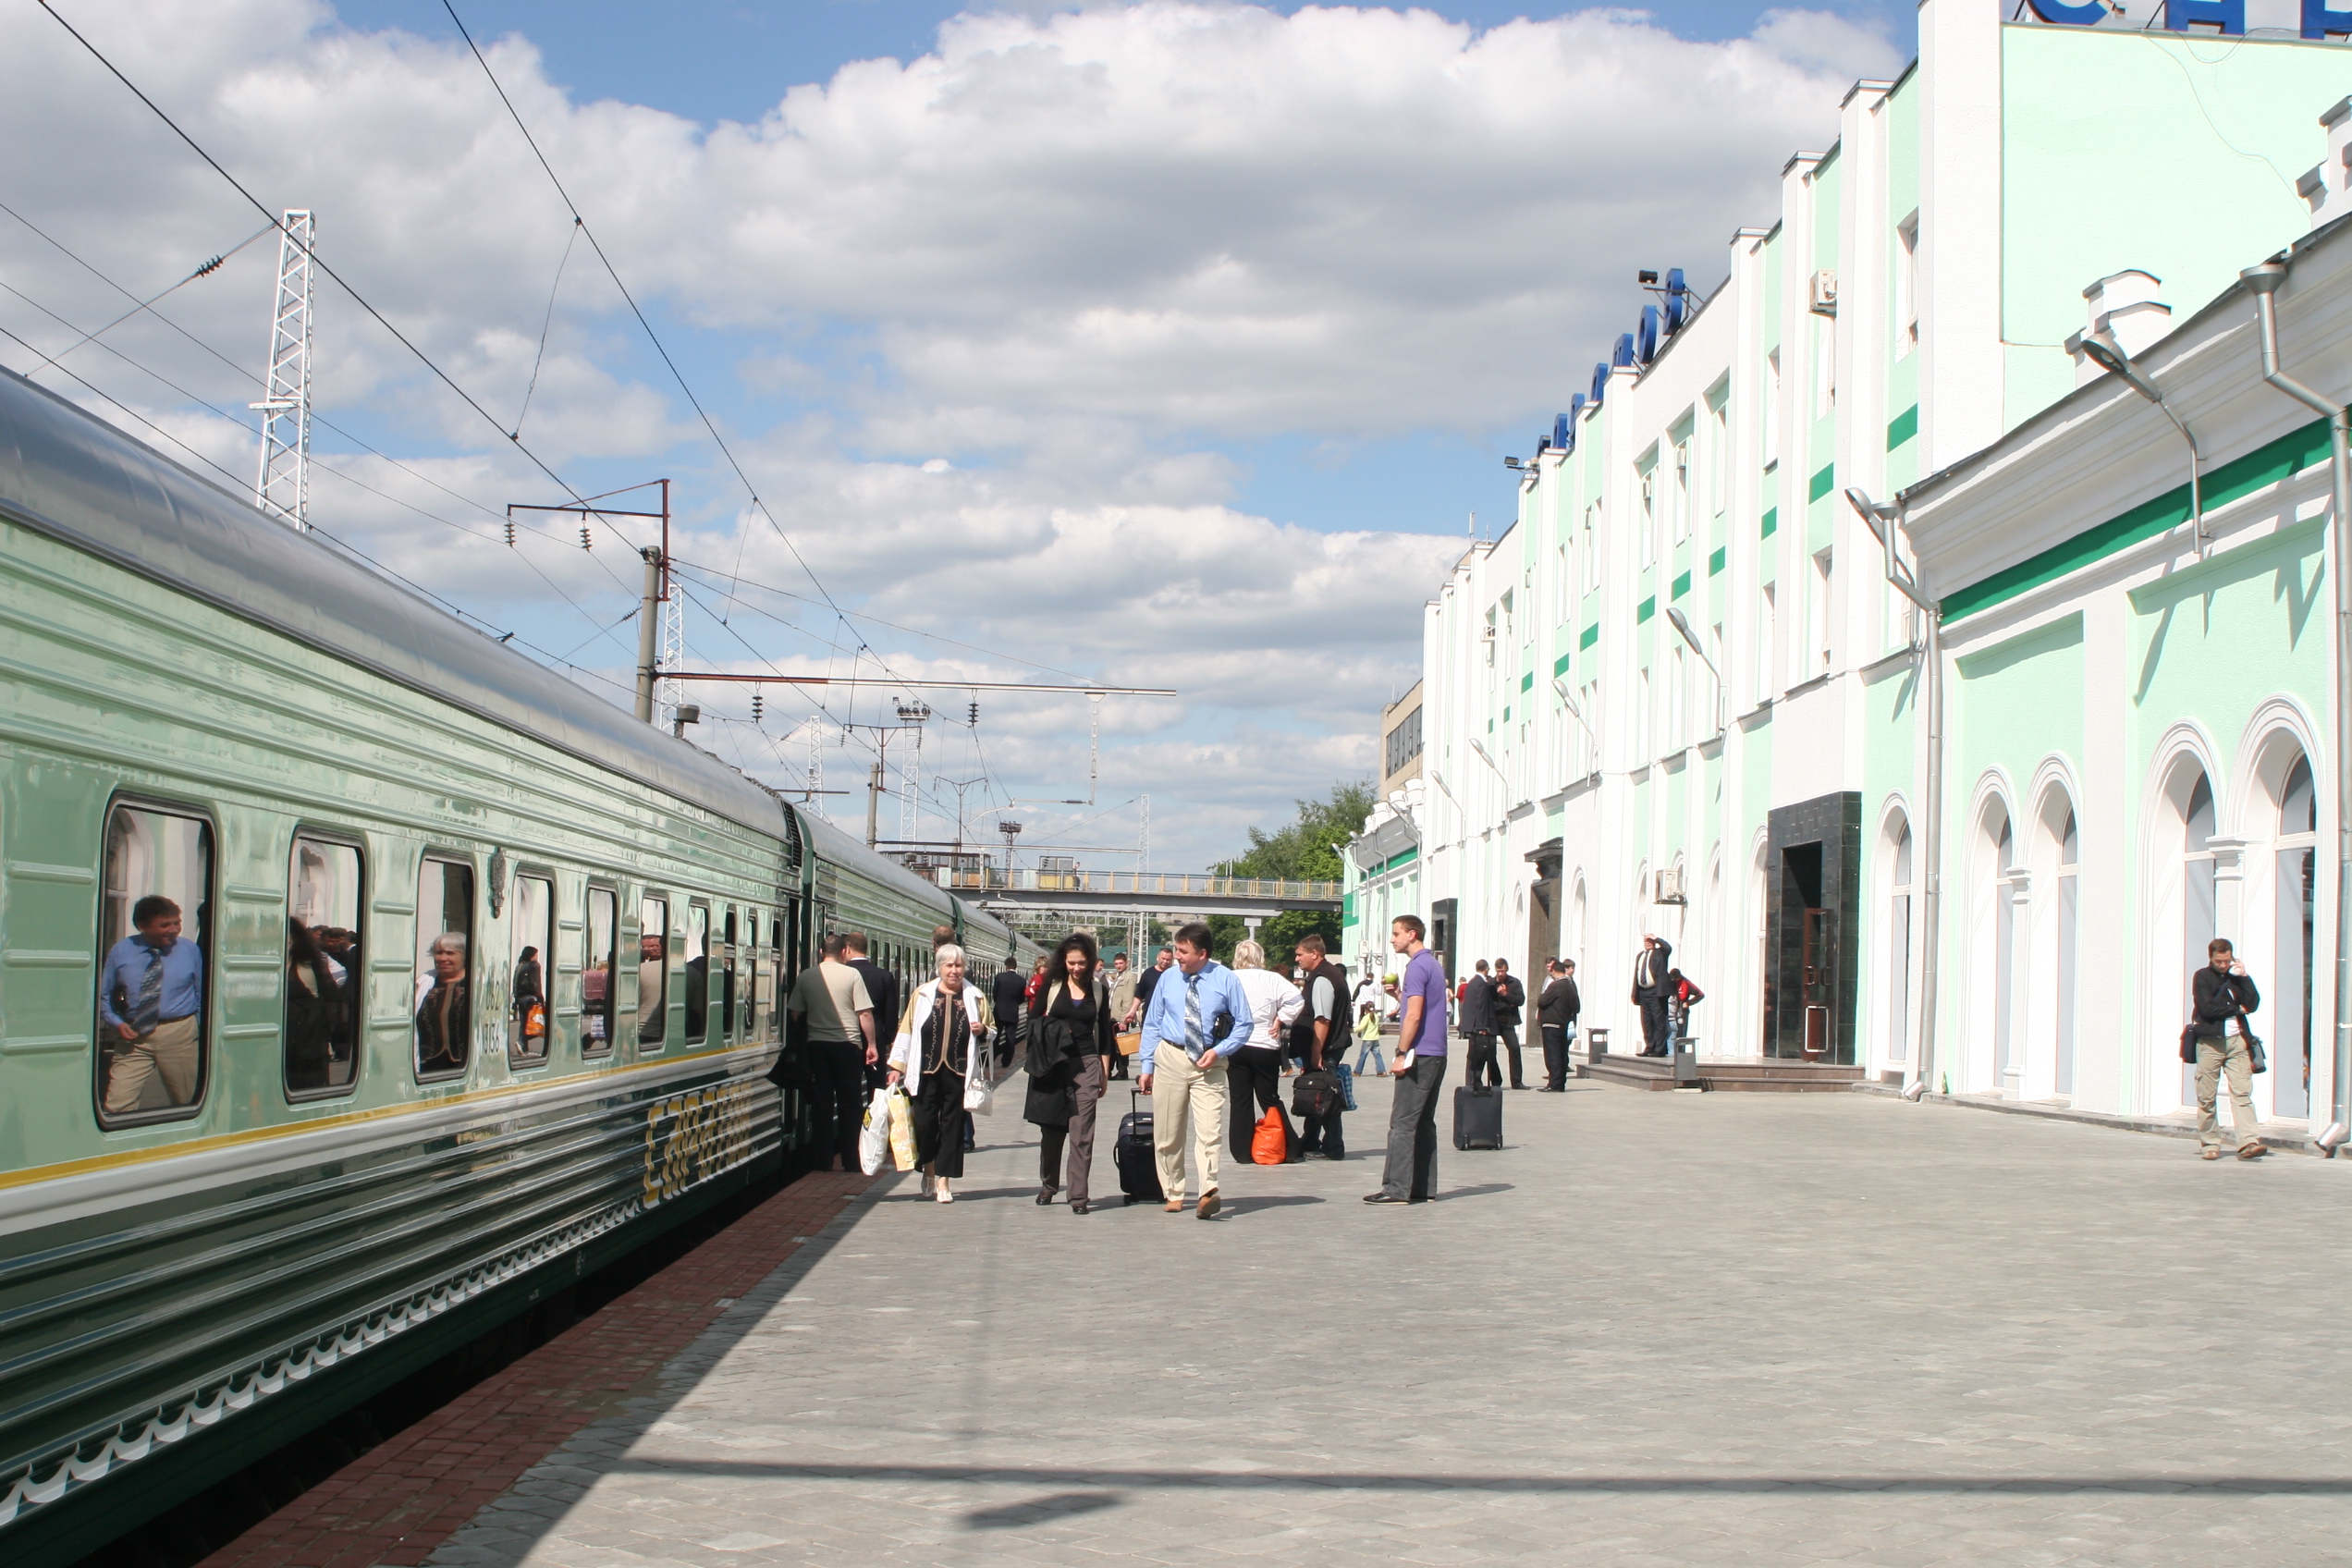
(1815,880)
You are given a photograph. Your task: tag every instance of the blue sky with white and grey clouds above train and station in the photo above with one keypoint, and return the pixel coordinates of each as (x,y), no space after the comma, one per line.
(1161,344)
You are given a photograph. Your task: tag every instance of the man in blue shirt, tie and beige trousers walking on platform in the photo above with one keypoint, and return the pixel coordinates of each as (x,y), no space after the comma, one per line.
(1194,1026)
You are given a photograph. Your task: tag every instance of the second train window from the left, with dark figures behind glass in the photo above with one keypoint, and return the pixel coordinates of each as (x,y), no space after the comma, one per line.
(326,970)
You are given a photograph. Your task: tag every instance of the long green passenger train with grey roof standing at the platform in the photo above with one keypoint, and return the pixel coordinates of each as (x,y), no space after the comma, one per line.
(361,981)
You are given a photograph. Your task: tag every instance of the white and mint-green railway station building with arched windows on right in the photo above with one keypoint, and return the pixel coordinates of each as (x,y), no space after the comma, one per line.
(1683,697)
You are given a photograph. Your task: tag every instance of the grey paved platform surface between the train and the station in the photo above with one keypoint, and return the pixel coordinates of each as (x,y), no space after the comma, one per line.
(1657,1329)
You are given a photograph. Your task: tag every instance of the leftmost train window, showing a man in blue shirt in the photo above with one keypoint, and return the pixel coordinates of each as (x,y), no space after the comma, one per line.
(154,974)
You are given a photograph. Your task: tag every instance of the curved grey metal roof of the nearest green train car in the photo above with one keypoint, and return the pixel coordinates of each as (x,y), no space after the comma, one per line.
(83,483)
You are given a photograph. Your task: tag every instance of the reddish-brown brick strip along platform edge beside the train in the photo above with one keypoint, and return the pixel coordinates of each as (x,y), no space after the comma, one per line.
(399,1501)
